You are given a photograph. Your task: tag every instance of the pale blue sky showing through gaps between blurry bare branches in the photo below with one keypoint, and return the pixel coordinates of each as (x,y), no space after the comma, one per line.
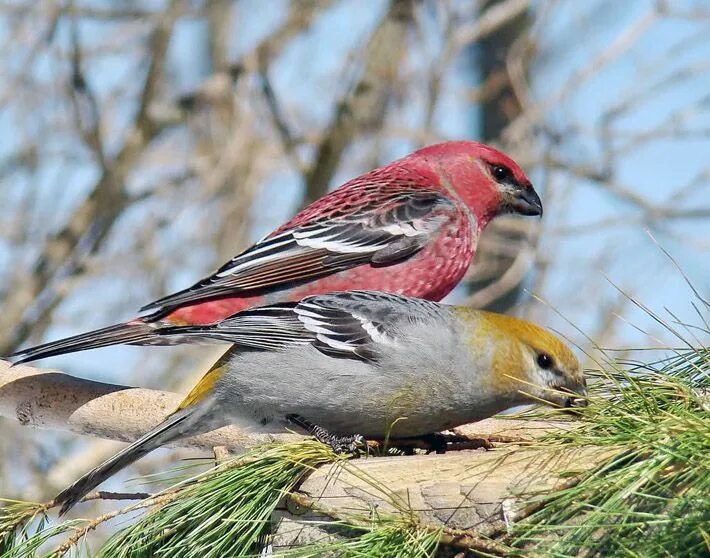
(311,68)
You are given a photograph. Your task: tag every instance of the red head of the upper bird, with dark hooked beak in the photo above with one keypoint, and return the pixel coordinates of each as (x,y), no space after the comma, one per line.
(487,181)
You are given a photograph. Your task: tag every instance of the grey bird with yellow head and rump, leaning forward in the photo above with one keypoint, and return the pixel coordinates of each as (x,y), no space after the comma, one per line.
(361,363)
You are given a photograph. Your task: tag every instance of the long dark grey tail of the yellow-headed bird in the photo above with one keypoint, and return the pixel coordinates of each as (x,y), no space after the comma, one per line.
(177,425)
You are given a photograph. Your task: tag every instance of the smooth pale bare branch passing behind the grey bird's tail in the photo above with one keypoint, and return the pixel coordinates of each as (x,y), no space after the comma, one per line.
(50,399)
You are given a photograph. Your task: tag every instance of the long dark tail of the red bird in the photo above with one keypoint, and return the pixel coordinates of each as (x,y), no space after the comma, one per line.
(130,332)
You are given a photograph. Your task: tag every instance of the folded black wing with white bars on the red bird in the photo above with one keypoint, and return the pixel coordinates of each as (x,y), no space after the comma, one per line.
(380,234)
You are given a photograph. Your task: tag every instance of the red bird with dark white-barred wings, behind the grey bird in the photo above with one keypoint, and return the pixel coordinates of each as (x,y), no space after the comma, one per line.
(409,228)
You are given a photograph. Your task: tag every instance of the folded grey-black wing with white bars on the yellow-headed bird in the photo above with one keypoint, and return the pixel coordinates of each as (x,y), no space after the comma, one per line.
(360,325)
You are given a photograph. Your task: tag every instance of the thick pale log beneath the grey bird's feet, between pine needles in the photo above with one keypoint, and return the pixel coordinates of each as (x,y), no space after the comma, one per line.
(469,495)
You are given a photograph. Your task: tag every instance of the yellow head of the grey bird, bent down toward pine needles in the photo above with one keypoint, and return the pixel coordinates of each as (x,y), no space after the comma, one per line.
(527,359)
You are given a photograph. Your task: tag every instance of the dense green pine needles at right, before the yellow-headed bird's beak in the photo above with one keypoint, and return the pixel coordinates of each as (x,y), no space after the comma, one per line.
(652,499)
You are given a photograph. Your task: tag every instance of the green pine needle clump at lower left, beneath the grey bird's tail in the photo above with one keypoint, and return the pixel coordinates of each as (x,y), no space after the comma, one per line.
(223,512)
